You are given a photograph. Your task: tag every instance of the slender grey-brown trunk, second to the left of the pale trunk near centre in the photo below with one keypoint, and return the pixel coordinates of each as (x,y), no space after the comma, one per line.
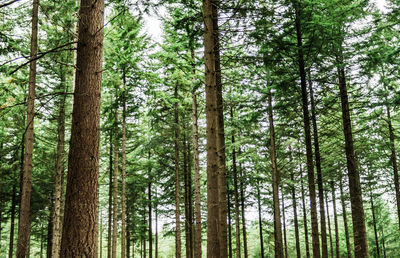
(177,181)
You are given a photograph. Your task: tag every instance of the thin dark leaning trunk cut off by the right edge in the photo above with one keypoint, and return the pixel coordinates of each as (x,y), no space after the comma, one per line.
(393,159)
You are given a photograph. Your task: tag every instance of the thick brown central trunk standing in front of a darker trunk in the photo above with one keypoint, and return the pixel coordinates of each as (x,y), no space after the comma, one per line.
(214,230)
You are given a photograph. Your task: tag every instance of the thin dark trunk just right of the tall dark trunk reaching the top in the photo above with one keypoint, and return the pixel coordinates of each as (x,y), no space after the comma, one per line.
(319,171)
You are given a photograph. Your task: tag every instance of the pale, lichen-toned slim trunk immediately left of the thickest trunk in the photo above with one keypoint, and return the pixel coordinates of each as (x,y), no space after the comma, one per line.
(58,191)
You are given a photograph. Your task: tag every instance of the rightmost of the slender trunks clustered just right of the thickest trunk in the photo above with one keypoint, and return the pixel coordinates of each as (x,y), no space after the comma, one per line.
(123,175)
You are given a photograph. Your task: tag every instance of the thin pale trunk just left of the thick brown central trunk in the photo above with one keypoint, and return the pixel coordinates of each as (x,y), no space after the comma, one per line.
(197,195)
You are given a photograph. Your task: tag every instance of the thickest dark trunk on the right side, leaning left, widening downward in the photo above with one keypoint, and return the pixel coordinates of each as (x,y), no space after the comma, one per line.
(357,209)
